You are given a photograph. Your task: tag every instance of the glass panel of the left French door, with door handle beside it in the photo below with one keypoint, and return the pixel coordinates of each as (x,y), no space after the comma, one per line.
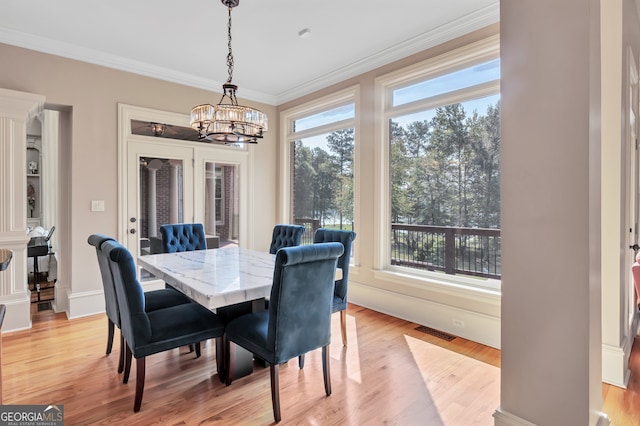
(161,200)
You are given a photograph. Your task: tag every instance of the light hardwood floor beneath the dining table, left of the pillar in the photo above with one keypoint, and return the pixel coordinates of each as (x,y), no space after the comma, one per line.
(389,374)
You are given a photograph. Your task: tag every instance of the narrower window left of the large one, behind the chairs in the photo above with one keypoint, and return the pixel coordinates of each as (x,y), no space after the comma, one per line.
(321,140)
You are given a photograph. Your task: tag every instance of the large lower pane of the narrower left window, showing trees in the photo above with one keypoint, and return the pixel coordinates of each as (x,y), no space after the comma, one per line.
(323,181)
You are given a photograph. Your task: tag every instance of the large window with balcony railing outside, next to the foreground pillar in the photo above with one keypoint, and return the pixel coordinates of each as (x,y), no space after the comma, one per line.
(442,139)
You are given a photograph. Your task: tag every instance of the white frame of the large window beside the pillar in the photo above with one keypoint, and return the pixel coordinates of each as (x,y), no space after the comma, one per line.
(457,59)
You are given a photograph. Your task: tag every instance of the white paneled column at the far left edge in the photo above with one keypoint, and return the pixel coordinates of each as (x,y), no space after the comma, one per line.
(16,109)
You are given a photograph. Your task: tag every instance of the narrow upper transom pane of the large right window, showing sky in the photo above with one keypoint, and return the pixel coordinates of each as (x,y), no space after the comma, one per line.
(477,74)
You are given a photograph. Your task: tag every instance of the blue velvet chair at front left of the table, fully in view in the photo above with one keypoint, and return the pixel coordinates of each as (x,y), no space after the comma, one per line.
(149,332)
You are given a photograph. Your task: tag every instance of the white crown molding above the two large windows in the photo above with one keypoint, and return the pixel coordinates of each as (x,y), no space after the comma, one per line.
(460,26)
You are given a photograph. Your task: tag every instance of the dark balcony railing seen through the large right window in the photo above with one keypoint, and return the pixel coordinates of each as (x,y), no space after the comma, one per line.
(465,251)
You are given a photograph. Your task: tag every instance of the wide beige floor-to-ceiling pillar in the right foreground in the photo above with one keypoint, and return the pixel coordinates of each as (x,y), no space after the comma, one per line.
(550,154)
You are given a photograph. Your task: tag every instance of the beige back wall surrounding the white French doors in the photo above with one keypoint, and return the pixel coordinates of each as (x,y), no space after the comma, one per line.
(89,154)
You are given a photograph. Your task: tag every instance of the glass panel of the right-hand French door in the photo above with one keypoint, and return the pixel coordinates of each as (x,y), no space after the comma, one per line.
(221,205)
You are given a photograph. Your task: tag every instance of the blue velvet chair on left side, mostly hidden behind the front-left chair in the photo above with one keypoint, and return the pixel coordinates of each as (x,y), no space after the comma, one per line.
(155,299)
